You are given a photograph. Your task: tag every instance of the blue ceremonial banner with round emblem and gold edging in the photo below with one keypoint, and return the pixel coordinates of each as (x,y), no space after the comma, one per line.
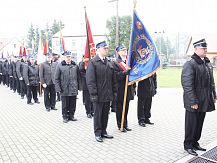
(143,56)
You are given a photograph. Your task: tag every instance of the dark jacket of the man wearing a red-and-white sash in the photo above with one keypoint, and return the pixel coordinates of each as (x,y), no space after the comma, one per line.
(121,80)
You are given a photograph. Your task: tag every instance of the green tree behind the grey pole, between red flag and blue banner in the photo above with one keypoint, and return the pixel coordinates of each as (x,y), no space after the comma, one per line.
(124,32)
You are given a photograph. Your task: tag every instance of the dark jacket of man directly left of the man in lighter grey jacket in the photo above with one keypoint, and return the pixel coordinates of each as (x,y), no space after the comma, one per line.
(31,74)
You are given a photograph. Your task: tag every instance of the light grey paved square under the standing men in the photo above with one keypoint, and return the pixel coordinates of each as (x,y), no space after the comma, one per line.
(30,134)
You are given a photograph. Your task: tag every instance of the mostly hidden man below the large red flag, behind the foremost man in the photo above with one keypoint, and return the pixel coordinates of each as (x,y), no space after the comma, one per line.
(86,96)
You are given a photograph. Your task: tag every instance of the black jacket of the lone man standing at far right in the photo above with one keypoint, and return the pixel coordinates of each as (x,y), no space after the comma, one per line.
(198,84)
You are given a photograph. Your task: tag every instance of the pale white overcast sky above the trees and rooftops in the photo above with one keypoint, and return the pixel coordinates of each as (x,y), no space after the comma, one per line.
(172,16)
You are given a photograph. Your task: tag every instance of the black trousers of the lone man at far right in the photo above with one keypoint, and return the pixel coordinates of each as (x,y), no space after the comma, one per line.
(193,128)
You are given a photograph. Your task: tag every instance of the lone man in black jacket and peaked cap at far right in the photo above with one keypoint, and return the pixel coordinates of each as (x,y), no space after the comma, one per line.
(199,95)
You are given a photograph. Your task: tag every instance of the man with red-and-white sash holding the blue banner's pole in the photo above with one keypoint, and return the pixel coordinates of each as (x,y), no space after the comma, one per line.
(121,70)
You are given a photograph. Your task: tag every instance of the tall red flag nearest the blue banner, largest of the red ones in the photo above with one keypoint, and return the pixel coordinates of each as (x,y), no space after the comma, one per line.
(90,50)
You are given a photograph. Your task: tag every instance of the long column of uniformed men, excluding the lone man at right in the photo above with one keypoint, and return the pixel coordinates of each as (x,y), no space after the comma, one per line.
(102,82)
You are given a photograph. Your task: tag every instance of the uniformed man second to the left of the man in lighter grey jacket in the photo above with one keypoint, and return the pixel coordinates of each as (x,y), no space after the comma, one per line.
(19,69)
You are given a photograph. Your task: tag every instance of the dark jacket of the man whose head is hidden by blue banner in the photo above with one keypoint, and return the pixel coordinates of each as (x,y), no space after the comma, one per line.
(147,87)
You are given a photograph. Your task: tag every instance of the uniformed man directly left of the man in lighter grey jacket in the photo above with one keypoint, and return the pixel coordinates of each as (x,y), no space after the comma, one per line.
(31,78)
